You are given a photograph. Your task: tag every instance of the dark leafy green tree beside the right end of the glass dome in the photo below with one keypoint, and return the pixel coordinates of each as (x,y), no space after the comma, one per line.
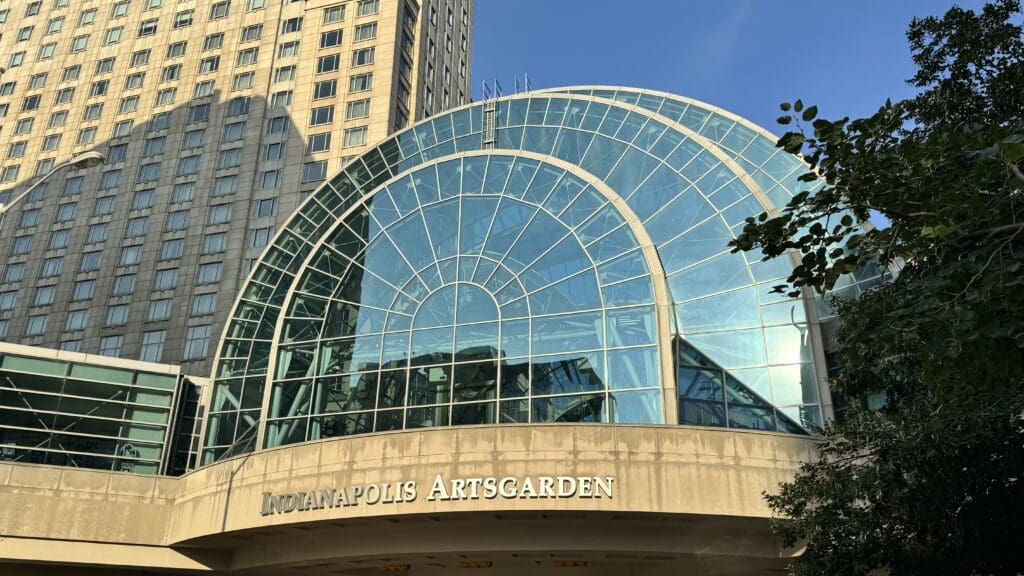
(931,483)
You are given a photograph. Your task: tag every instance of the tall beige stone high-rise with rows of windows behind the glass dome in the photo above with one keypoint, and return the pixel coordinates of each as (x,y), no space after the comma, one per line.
(218,119)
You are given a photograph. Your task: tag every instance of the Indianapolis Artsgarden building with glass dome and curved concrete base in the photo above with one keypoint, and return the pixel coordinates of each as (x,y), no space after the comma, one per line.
(511,340)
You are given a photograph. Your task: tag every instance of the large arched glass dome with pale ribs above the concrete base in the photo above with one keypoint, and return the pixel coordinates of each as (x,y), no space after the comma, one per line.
(558,257)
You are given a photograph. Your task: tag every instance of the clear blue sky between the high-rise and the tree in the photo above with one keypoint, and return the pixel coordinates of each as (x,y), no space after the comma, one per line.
(744,56)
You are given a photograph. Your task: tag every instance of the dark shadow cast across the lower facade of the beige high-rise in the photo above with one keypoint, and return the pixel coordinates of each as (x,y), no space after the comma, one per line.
(178,191)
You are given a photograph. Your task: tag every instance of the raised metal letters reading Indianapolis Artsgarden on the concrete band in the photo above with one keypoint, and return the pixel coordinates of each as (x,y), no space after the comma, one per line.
(442,489)
